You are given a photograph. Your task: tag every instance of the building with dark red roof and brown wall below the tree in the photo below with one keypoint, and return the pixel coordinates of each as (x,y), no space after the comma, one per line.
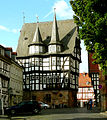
(99,81)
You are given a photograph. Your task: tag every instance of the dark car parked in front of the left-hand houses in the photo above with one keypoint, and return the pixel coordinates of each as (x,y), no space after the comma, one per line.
(24,107)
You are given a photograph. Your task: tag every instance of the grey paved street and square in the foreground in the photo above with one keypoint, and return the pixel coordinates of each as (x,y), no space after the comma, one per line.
(62,114)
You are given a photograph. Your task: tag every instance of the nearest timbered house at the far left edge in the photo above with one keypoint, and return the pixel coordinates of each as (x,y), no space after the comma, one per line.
(4,79)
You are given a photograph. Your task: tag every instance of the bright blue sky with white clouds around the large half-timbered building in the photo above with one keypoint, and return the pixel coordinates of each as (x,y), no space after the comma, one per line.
(13,14)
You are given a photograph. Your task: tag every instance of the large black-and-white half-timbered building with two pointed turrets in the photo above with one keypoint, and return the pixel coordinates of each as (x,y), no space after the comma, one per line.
(50,53)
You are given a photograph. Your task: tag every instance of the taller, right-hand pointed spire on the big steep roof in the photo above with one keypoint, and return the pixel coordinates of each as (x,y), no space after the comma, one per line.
(55,34)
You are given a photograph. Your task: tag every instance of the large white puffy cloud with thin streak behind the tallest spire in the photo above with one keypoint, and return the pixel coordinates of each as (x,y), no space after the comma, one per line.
(63,10)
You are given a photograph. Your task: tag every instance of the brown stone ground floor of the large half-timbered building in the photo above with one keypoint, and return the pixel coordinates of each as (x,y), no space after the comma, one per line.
(55,98)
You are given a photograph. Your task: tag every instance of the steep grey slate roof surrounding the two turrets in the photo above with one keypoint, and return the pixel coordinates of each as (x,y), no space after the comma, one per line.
(67,34)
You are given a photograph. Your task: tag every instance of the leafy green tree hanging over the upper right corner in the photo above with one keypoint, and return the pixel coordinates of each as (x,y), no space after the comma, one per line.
(91,17)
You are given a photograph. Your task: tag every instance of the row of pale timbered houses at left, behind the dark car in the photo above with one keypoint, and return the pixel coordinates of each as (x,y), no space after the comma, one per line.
(11,79)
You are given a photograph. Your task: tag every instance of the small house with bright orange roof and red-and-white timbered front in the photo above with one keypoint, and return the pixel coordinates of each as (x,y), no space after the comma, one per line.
(85,90)
